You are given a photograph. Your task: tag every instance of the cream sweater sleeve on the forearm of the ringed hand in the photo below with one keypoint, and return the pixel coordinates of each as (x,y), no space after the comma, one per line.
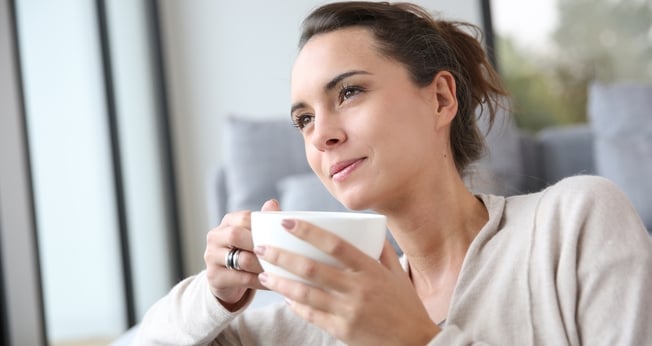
(188,315)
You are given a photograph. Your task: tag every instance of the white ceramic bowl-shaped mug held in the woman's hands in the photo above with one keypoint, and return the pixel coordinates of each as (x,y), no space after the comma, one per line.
(364,230)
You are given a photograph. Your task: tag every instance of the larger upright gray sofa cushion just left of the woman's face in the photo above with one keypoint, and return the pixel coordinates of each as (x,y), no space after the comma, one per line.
(257,154)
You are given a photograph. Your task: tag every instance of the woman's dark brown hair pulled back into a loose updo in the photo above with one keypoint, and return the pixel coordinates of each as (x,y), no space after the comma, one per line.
(425,46)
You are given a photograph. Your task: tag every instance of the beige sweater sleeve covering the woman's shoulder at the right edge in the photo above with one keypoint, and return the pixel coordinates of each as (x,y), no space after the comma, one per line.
(604,270)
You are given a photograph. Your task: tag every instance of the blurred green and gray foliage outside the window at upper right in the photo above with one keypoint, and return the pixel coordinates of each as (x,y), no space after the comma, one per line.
(595,40)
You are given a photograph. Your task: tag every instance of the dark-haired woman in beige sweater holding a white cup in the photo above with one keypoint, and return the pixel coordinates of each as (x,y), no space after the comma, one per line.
(384,96)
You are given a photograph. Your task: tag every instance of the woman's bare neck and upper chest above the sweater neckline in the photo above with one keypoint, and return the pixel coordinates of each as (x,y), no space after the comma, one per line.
(435,233)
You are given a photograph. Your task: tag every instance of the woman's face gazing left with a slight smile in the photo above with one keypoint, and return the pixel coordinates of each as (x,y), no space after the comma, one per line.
(370,133)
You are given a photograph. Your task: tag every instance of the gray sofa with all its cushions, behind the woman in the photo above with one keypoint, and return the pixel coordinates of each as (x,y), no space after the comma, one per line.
(265,158)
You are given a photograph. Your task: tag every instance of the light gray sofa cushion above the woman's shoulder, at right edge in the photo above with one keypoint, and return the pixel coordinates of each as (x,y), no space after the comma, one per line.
(621,119)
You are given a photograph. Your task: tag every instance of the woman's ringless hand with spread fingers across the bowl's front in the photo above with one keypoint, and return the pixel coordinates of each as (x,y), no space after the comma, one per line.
(363,303)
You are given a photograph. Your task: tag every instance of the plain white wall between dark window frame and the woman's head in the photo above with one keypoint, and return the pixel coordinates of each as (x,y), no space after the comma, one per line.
(233,57)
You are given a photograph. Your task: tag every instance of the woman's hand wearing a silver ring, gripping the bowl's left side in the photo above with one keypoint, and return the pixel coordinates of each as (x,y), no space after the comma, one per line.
(228,285)
